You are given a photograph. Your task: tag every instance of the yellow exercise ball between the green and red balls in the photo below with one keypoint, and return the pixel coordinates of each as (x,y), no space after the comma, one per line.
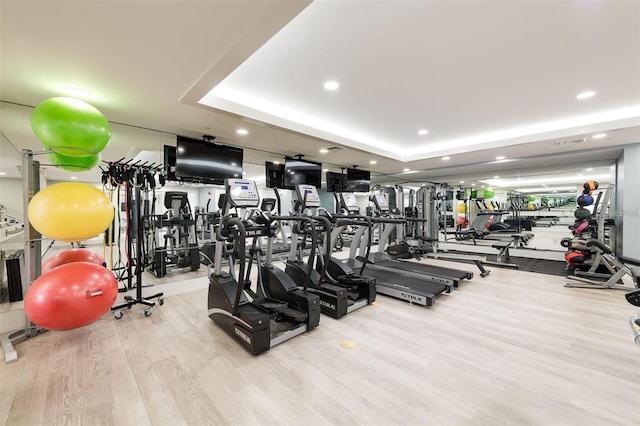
(70,211)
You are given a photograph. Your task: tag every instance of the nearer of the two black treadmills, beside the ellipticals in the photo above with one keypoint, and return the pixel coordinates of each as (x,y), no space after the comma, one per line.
(391,281)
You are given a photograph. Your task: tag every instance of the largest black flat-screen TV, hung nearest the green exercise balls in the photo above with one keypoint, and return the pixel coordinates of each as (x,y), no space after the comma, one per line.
(206,162)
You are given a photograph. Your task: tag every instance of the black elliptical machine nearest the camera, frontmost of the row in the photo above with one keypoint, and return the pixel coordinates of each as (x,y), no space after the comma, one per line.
(262,322)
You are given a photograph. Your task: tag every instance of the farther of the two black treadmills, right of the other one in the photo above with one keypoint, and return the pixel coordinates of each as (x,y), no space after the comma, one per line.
(433,273)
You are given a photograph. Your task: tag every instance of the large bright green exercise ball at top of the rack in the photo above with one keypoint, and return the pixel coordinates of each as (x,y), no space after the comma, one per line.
(70,127)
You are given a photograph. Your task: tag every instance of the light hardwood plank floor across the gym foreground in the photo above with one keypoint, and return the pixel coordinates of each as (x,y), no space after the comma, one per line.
(515,348)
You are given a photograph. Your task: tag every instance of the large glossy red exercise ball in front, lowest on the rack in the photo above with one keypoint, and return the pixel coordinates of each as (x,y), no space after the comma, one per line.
(70,296)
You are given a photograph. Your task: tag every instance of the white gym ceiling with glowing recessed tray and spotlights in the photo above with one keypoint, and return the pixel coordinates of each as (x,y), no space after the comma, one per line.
(485,78)
